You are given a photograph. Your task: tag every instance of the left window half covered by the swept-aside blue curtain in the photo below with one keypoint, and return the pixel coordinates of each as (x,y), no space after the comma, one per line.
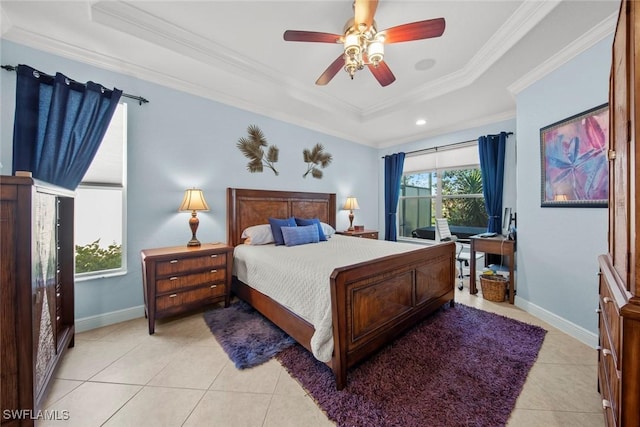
(100,206)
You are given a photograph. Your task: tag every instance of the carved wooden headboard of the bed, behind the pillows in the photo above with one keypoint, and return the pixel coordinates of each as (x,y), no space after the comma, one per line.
(253,207)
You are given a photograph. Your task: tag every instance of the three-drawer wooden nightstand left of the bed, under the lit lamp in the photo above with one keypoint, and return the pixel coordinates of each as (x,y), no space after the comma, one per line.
(181,278)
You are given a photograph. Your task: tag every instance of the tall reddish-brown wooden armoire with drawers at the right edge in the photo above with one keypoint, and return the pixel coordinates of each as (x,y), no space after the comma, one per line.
(619,306)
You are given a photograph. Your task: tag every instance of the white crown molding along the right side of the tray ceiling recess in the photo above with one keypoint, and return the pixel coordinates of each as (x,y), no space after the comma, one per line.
(525,18)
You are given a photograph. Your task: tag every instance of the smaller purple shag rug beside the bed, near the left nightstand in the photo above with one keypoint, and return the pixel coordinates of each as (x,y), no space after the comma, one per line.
(245,335)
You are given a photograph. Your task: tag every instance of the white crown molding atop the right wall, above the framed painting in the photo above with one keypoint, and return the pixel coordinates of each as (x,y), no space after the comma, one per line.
(599,32)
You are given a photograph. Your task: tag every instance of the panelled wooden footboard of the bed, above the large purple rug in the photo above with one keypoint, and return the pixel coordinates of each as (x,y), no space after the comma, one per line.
(374,302)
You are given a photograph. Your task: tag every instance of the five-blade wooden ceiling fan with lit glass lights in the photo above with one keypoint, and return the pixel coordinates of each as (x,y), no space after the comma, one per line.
(364,44)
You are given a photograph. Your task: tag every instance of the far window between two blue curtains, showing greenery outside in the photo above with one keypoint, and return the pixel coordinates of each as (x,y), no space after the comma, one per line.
(442,183)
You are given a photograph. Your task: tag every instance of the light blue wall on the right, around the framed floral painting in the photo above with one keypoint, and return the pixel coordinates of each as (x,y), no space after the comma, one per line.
(558,247)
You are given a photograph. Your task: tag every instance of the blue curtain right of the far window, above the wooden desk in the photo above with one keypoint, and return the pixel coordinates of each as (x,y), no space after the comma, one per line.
(491,149)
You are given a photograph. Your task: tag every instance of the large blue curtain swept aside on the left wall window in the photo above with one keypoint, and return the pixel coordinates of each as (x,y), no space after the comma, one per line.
(59,125)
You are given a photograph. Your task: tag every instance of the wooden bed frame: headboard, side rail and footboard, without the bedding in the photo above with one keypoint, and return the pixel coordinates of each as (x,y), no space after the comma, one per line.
(371,302)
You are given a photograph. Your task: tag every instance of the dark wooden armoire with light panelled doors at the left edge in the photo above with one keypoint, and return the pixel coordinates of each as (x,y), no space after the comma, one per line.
(36,292)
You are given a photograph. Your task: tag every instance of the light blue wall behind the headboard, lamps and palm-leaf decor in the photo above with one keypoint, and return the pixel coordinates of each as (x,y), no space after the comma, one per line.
(178,141)
